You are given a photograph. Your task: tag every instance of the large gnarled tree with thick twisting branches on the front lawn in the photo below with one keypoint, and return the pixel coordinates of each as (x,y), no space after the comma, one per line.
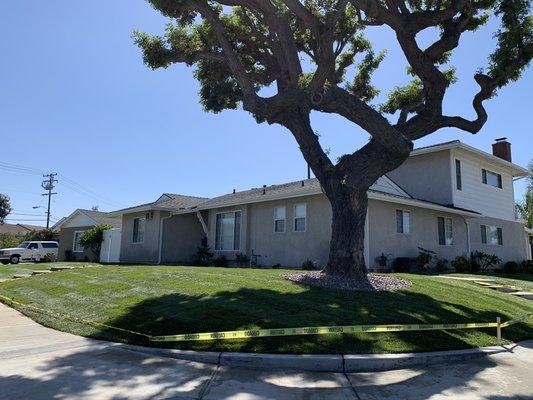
(307,49)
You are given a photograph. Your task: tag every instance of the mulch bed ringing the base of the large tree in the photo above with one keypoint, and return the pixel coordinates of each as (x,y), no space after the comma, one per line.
(374,283)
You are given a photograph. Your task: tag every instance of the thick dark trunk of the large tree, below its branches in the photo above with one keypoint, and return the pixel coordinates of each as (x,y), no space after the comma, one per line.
(346,253)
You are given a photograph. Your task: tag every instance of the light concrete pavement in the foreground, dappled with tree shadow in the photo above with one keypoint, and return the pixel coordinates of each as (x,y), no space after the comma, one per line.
(40,363)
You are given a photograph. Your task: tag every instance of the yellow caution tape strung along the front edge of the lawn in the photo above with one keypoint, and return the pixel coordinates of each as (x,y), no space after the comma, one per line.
(251,333)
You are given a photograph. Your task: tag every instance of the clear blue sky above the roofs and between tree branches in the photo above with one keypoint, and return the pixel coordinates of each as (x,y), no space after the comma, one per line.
(76,99)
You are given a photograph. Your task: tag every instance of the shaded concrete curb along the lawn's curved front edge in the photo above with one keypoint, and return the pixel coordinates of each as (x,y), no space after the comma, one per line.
(324,362)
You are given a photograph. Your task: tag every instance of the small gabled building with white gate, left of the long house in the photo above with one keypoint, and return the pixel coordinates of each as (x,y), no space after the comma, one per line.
(72,227)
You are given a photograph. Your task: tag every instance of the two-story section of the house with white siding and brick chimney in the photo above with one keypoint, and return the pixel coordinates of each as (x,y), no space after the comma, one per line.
(464,177)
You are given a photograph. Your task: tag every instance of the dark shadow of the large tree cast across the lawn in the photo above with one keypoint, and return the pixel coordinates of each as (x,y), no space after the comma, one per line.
(247,308)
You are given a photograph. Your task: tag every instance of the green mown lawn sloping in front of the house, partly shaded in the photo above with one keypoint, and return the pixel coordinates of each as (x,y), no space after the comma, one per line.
(169,300)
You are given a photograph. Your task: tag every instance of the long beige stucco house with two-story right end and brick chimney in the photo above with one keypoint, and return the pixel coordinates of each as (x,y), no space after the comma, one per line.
(449,198)
